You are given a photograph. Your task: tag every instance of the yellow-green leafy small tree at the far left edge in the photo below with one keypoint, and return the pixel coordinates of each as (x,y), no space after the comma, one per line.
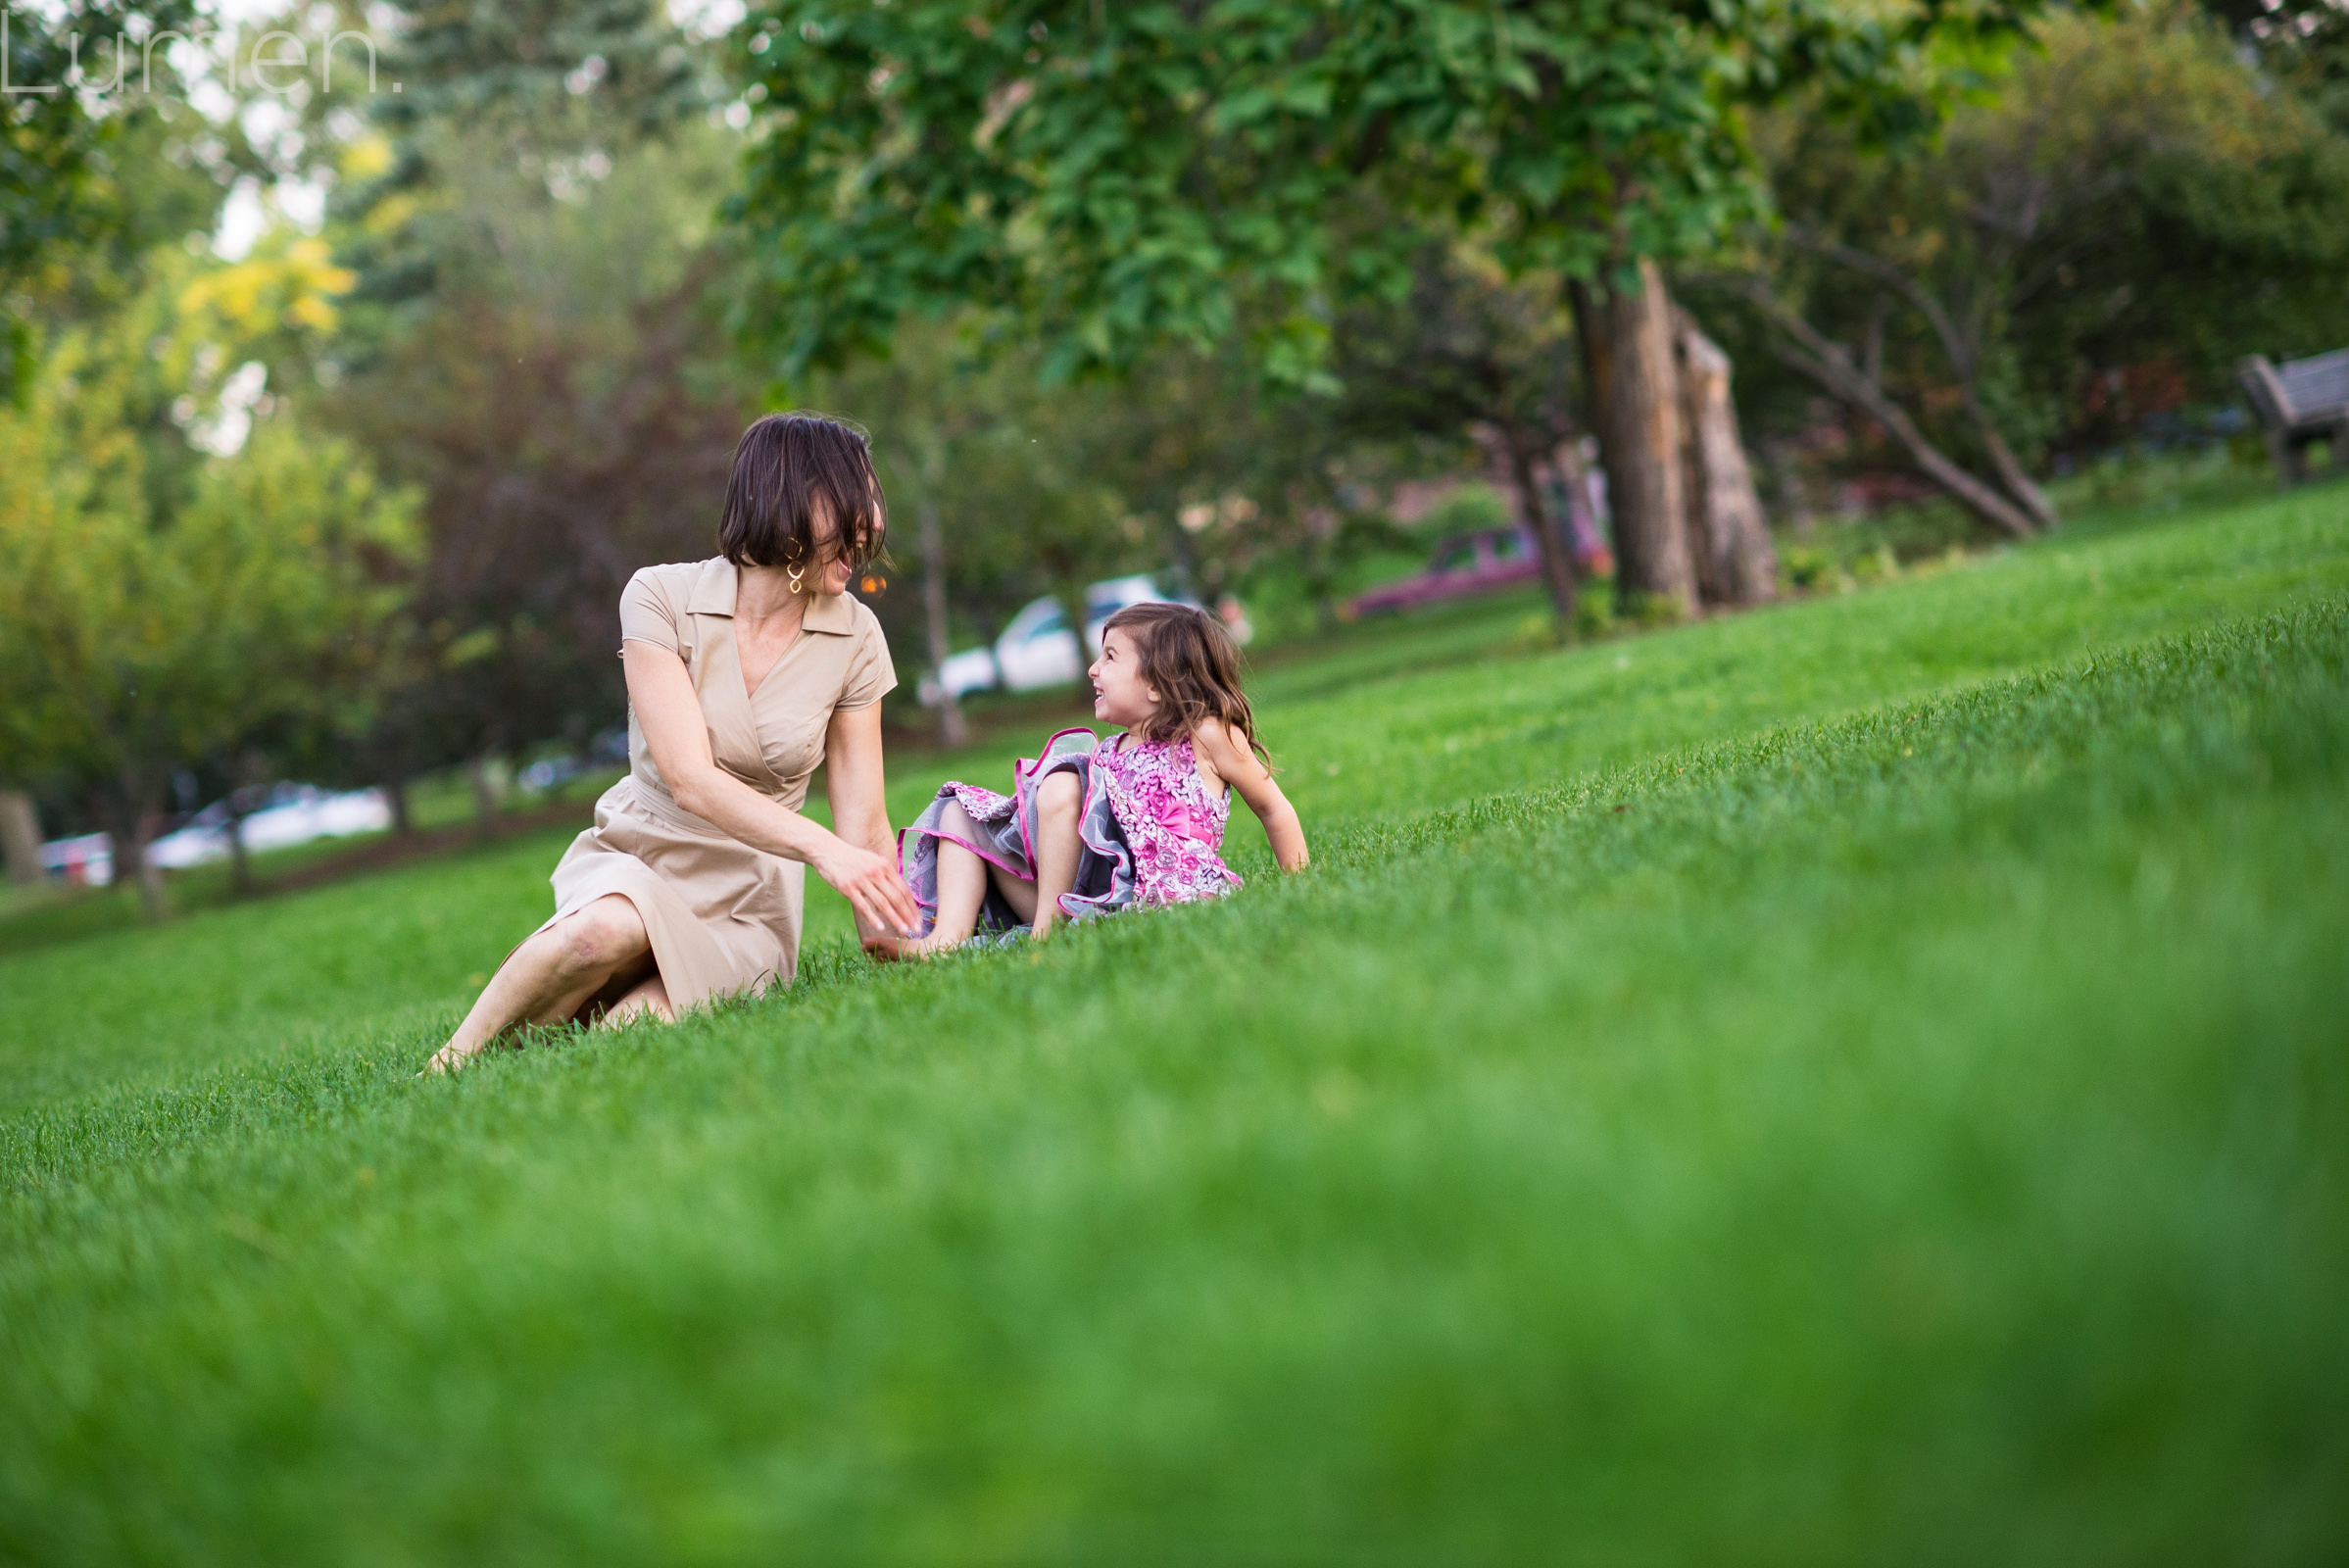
(154,621)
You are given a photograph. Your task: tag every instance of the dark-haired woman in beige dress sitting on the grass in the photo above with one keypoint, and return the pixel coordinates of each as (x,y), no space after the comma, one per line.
(743,675)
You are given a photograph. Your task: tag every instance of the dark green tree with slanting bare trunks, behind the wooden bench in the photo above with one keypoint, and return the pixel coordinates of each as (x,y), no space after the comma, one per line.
(2132,196)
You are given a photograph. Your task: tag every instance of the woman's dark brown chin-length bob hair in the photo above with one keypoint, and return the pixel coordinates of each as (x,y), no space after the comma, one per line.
(793,468)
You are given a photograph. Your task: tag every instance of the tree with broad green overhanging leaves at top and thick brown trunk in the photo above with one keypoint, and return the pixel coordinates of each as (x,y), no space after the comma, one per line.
(1122,177)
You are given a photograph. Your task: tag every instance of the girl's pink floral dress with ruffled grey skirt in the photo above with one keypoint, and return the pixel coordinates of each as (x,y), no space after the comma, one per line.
(1150,830)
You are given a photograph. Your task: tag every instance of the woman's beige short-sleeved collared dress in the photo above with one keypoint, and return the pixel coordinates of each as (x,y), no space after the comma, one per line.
(722,917)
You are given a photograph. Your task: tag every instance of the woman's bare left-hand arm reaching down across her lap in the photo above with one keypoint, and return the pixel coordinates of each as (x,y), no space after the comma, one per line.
(678,736)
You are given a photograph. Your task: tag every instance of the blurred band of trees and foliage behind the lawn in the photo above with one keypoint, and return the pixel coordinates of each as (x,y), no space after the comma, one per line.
(337,419)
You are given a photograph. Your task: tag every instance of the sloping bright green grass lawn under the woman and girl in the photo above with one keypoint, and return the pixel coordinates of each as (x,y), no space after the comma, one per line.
(1850,1083)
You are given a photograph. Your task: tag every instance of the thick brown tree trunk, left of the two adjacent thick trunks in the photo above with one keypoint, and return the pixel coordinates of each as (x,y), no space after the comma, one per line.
(1636,414)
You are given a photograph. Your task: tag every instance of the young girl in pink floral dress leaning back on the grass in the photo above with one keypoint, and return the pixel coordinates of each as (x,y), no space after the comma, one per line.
(1096,827)
